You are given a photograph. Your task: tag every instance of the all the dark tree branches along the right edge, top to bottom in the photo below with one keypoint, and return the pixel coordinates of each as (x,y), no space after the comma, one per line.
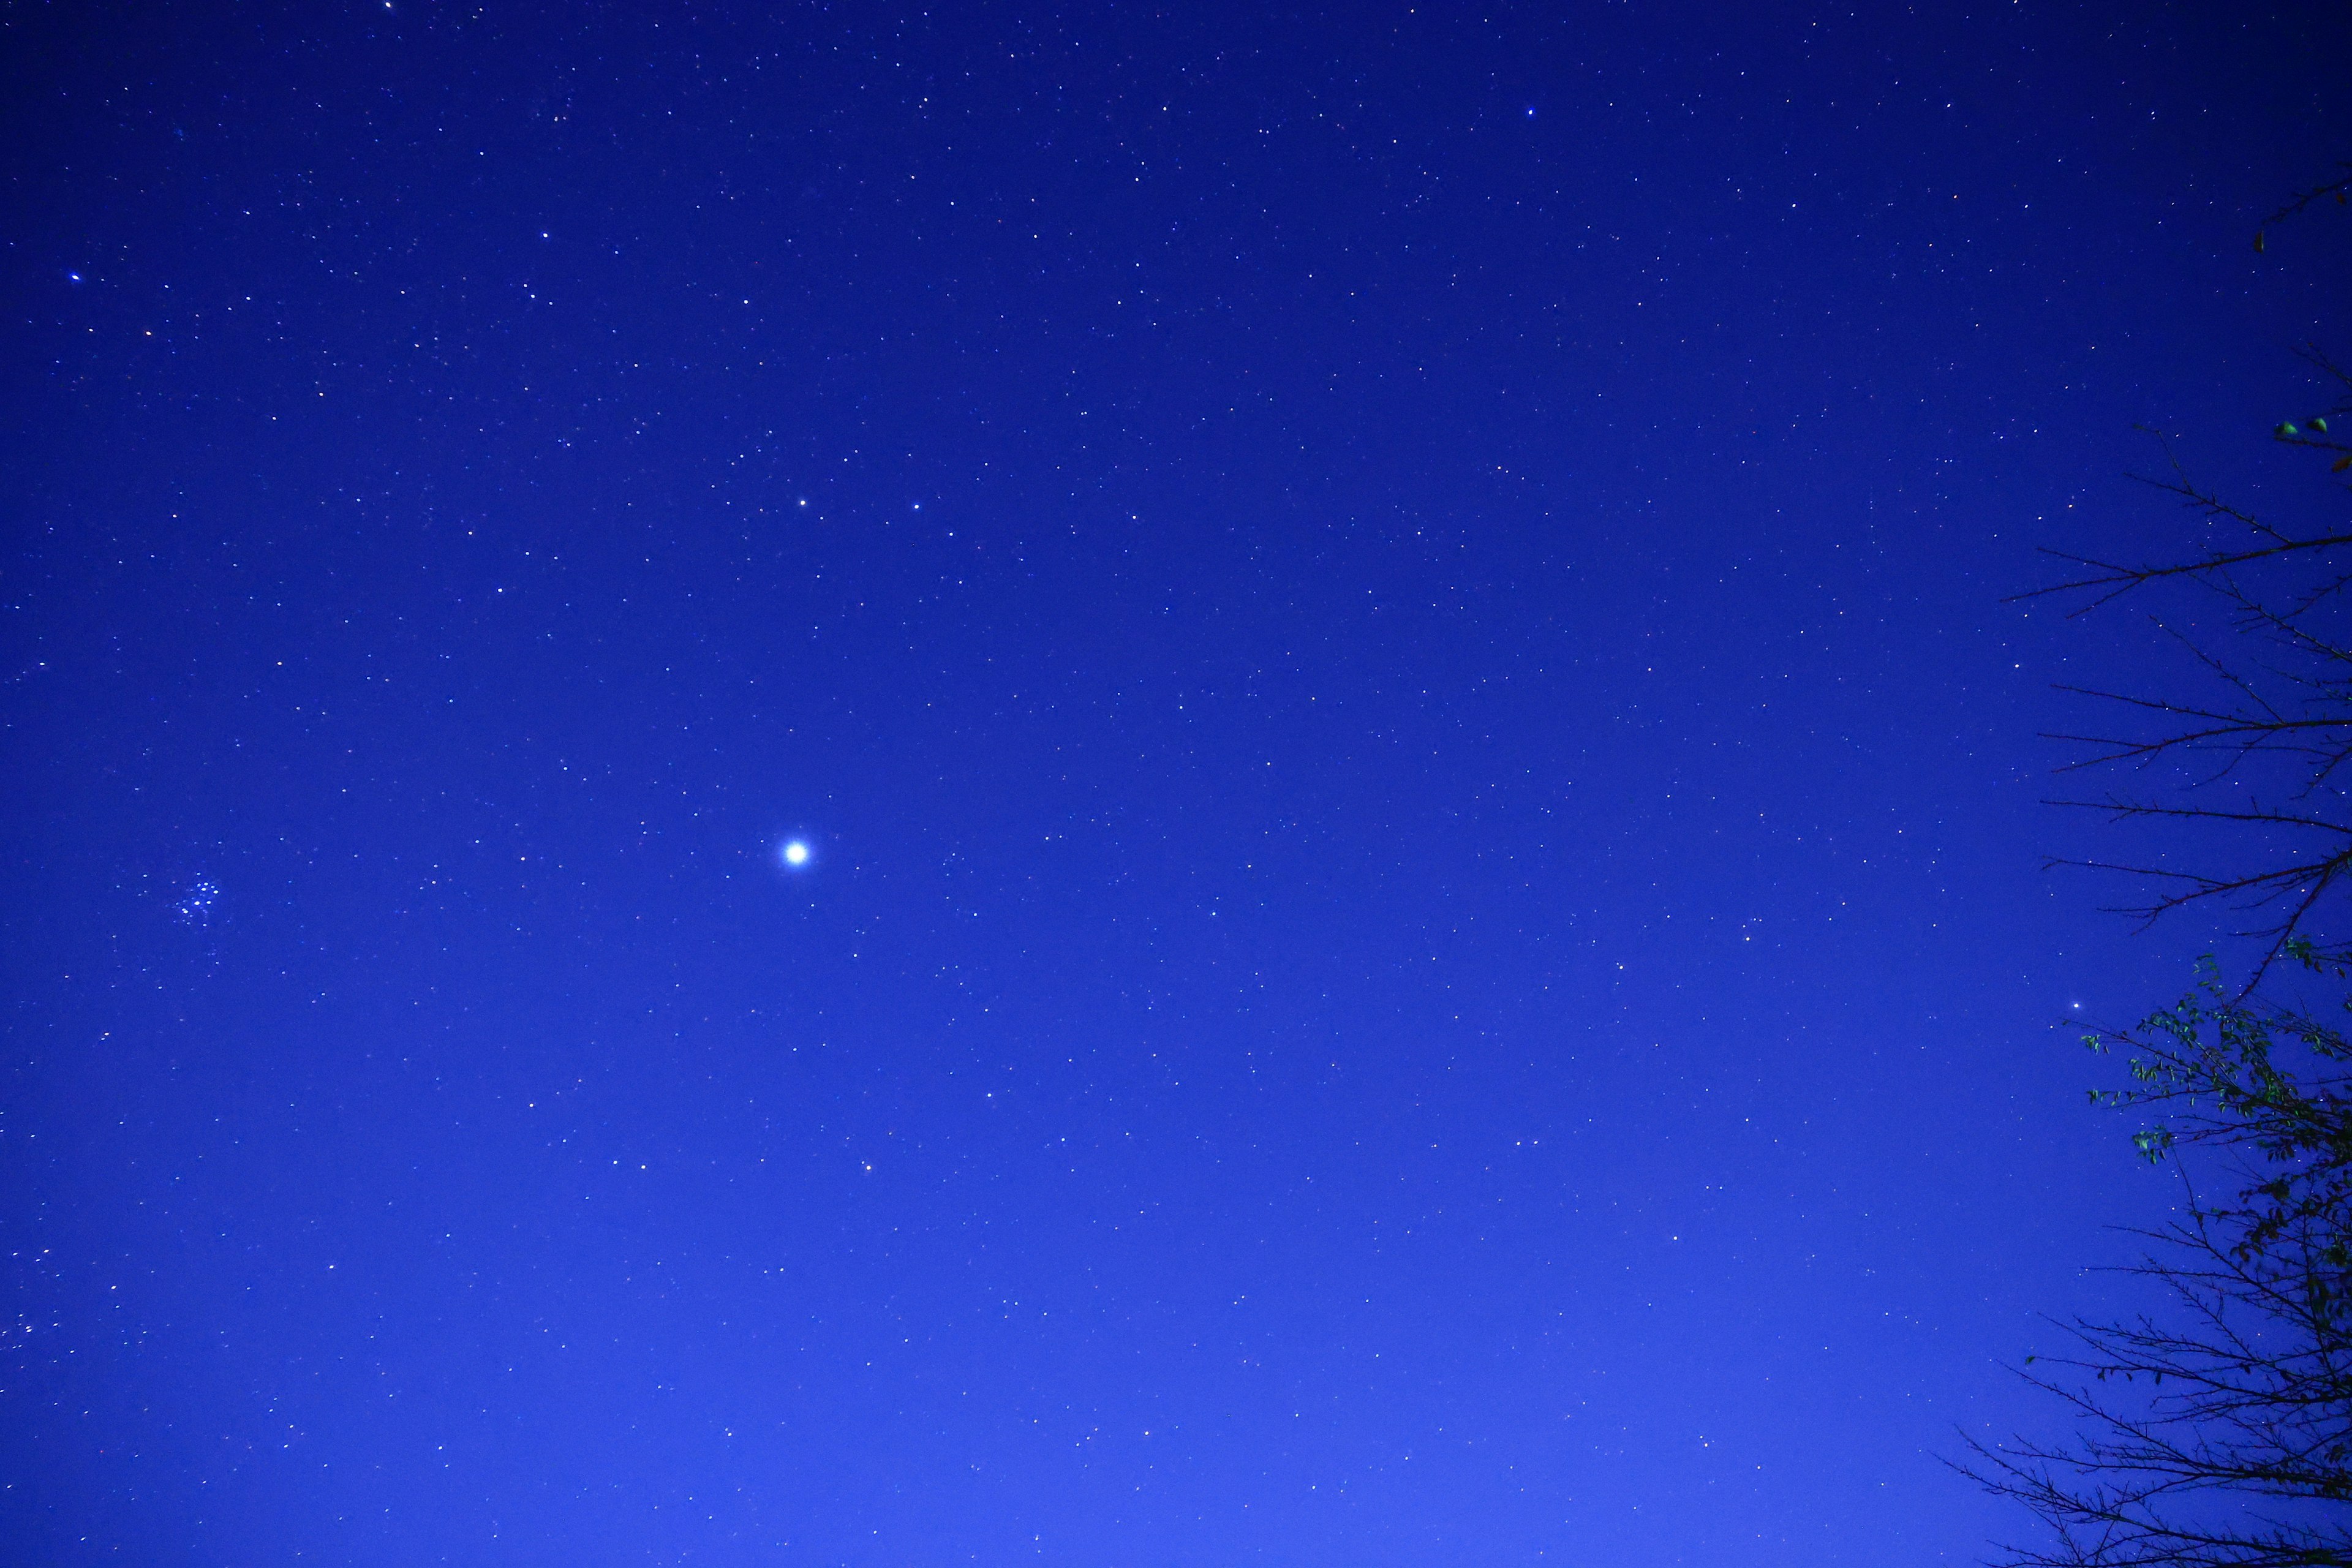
(2217,1430)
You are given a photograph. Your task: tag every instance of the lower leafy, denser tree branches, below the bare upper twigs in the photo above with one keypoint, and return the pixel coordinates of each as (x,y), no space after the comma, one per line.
(2219,1433)
